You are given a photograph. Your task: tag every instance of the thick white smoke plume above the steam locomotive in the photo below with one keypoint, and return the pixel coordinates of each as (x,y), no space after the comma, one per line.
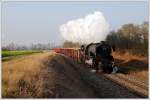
(92,28)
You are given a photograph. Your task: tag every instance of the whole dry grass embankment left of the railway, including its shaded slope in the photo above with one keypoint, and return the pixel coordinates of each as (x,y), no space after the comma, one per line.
(45,75)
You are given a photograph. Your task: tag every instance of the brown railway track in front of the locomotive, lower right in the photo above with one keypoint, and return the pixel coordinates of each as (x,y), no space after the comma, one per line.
(130,83)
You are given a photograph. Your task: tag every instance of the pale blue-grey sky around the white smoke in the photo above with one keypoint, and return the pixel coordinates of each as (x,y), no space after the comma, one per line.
(38,22)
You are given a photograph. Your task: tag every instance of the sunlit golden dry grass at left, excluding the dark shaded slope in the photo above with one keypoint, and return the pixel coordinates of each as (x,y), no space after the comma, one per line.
(20,76)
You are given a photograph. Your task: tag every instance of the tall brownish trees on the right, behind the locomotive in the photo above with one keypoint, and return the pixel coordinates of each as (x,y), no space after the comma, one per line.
(131,37)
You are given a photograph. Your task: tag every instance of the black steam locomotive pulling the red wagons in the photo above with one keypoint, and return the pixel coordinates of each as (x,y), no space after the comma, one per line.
(99,55)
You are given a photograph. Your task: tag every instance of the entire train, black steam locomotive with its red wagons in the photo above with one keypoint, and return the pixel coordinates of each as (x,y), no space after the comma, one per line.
(89,54)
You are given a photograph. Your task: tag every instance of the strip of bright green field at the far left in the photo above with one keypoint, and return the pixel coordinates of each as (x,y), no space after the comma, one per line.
(19,52)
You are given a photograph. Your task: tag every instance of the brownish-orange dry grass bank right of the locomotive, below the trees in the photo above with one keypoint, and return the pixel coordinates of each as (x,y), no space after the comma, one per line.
(137,65)
